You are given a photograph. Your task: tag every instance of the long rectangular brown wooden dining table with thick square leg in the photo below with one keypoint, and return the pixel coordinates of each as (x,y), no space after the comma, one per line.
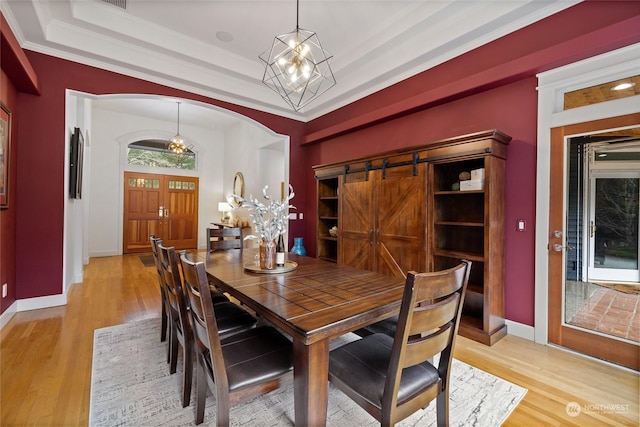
(313,304)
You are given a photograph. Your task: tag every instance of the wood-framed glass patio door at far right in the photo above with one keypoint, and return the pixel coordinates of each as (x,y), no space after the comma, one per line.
(593,239)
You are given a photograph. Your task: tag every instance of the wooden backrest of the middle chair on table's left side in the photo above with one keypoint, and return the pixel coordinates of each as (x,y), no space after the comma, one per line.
(173,287)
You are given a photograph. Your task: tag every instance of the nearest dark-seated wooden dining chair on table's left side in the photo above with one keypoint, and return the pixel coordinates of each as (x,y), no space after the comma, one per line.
(235,368)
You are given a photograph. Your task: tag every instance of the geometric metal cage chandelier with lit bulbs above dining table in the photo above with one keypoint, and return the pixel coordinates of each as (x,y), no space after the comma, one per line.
(297,67)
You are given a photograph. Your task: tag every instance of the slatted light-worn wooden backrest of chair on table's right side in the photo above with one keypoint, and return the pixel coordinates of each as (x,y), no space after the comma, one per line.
(427,325)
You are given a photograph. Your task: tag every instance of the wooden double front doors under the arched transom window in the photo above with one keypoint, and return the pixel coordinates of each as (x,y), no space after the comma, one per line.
(163,205)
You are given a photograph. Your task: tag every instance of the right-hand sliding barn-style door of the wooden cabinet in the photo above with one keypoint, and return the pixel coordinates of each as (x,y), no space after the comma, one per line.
(401,220)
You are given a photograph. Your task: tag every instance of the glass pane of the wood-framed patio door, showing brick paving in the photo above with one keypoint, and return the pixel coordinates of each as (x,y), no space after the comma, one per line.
(601,291)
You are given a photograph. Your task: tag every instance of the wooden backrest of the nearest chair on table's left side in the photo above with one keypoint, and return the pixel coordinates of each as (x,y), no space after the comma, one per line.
(203,319)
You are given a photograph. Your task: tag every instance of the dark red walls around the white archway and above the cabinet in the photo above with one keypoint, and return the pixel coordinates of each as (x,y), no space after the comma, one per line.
(491,87)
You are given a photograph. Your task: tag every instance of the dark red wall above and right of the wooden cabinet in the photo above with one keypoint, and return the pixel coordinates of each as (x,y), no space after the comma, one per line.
(493,86)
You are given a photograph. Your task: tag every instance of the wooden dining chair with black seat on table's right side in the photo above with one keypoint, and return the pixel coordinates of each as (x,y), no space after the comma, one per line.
(393,377)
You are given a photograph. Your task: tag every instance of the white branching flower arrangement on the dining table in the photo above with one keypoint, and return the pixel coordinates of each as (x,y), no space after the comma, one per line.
(269,220)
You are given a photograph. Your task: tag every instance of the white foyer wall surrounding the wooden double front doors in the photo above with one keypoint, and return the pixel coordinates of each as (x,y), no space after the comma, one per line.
(220,155)
